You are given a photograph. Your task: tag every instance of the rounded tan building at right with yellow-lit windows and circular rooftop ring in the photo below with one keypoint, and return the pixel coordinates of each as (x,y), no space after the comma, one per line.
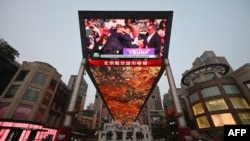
(215,96)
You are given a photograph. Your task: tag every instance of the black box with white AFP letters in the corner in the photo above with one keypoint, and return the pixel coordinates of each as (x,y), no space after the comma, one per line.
(237,132)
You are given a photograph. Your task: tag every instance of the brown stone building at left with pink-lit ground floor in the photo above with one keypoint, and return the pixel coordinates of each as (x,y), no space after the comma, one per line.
(34,103)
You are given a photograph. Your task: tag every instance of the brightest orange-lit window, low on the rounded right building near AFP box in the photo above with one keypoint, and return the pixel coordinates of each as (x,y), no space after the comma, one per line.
(222,119)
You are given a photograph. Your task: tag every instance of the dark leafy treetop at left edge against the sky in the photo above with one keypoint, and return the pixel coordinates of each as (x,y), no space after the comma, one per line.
(7,50)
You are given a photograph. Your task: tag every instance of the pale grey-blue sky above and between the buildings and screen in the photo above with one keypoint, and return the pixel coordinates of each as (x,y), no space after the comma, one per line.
(48,31)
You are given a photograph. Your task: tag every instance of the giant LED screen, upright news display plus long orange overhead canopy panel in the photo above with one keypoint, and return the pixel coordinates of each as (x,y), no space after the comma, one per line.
(125,51)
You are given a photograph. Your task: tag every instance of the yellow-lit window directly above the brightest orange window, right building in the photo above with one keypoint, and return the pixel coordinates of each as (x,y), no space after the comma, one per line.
(216,105)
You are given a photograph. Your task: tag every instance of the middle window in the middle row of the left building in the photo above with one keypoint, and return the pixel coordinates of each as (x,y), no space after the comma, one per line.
(31,94)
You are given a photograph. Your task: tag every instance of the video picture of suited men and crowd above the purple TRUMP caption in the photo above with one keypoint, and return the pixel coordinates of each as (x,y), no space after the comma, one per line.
(110,36)
